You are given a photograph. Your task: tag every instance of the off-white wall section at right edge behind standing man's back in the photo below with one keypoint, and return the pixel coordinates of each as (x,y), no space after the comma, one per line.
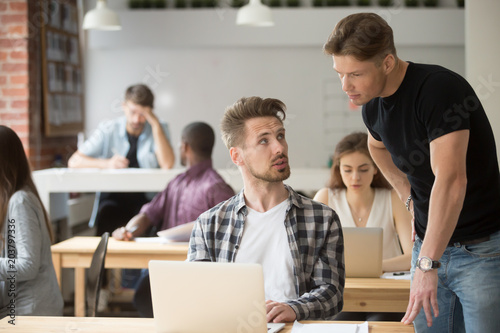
(482,50)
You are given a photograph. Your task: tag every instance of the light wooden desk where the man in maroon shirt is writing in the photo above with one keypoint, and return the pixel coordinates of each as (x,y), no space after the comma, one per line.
(77,253)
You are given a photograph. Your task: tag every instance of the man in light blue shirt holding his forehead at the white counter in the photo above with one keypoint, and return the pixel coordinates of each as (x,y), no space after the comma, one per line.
(137,140)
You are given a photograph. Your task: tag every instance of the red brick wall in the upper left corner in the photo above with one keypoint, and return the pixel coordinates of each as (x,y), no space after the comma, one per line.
(21,84)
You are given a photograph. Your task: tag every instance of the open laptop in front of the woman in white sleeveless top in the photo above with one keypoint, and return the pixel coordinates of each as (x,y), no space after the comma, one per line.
(363,252)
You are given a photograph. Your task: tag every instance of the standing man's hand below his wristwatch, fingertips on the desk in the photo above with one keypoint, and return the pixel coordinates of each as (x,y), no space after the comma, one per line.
(423,293)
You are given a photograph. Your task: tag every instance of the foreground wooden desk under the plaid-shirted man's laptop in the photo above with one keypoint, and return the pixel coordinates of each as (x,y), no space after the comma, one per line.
(134,325)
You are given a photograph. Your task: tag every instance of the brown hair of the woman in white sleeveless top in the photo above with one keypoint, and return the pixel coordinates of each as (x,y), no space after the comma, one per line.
(354,142)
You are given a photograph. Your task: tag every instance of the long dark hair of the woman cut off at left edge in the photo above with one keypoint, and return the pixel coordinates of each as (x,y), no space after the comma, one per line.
(15,173)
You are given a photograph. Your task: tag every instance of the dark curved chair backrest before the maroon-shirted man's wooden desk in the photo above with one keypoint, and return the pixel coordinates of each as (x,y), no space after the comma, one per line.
(95,275)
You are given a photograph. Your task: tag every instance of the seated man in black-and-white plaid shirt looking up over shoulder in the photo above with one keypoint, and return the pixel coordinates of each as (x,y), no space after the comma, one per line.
(297,241)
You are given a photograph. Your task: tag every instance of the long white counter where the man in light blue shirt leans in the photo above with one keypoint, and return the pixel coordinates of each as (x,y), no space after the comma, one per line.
(62,180)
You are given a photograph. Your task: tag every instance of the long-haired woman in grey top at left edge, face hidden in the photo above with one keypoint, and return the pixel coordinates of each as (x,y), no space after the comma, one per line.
(28,283)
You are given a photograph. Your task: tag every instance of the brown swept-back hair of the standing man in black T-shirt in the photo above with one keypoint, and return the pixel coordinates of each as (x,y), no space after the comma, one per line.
(364,36)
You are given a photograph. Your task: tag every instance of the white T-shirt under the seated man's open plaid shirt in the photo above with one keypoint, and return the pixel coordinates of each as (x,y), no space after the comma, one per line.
(265,242)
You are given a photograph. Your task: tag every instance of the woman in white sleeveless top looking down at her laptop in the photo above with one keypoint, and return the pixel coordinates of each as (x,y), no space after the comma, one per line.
(362,197)
